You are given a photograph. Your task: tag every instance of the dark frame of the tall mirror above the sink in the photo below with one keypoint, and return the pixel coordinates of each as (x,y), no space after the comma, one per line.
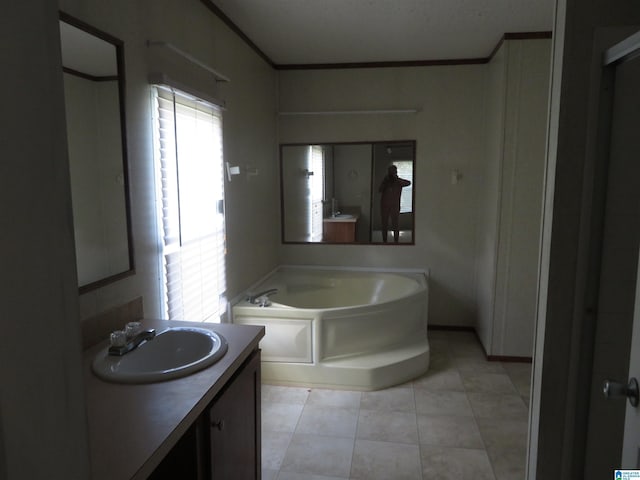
(119,46)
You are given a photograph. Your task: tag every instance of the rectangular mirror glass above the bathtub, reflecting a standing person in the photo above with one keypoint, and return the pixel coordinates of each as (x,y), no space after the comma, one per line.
(337,192)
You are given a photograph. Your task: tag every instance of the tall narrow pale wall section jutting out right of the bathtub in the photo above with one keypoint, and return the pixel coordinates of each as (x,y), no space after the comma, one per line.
(509,235)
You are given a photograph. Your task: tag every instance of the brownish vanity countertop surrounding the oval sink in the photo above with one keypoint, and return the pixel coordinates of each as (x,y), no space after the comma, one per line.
(133,427)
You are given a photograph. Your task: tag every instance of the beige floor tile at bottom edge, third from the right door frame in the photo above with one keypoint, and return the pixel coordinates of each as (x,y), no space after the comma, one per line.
(385,461)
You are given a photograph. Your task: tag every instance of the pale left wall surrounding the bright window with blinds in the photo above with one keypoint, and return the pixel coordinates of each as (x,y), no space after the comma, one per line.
(249,135)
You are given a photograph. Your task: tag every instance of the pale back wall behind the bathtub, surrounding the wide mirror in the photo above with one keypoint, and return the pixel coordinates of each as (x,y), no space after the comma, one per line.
(449,134)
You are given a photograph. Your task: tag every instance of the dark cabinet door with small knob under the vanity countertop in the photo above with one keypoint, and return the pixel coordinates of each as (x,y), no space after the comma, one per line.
(235,426)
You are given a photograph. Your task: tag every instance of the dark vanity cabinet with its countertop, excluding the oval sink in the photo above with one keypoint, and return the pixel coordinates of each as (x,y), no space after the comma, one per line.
(203,426)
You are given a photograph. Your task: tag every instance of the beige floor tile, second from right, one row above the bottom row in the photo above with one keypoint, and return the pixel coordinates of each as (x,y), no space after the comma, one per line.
(449,431)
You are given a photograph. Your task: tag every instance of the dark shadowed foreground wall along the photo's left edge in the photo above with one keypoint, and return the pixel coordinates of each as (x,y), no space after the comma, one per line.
(42,412)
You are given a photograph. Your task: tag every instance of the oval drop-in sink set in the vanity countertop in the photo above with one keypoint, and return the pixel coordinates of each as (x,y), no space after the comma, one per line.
(173,353)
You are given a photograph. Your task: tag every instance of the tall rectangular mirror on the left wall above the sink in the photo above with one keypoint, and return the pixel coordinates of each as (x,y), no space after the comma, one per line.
(93,71)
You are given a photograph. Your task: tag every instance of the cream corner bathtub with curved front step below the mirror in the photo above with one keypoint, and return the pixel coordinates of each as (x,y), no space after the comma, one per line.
(337,328)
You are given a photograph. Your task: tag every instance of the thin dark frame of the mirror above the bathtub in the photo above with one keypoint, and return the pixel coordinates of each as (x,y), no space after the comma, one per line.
(374,189)
